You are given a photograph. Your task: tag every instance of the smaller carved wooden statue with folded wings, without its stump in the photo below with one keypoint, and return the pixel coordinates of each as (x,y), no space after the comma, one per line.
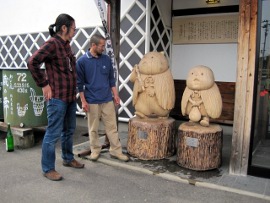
(201,98)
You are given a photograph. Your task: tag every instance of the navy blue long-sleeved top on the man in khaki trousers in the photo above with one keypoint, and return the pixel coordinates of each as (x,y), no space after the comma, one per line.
(97,76)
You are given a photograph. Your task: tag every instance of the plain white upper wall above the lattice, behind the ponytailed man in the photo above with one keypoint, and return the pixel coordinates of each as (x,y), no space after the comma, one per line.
(28,16)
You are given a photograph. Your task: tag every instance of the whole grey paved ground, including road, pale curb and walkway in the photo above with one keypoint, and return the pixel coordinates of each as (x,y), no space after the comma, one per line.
(109,180)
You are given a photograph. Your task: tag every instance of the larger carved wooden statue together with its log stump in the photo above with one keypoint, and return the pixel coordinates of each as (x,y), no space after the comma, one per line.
(151,133)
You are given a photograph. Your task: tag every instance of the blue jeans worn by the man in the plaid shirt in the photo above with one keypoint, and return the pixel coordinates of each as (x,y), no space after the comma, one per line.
(61,124)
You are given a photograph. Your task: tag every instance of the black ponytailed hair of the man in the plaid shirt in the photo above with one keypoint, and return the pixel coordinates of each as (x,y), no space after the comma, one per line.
(62,19)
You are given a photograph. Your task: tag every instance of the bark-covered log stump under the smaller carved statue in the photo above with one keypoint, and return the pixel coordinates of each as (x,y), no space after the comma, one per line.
(199,148)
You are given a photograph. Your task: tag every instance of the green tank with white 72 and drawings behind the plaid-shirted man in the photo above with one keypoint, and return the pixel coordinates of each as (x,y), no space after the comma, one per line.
(23,101)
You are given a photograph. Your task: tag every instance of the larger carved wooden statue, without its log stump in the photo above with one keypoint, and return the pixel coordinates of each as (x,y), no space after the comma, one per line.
(153,92)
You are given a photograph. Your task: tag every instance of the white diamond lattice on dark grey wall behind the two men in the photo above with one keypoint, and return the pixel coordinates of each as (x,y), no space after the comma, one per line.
(140,33)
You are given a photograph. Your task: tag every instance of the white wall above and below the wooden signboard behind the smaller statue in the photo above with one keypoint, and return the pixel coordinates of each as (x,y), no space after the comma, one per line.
(221,58)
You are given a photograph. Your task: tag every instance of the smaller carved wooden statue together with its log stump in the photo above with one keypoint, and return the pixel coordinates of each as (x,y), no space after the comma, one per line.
(200,143)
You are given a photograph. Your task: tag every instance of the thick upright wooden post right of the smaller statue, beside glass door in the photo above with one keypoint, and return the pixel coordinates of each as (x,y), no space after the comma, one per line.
(244,86)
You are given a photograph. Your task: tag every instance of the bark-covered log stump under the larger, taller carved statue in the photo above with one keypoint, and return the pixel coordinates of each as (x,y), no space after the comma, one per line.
(151,139)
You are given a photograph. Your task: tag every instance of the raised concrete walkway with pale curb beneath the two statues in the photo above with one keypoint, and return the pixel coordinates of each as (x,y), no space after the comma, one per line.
(168,169)
